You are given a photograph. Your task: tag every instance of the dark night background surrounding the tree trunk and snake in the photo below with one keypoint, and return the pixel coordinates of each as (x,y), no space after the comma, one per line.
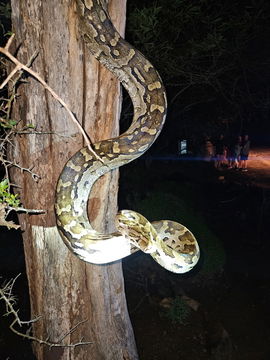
(214,59)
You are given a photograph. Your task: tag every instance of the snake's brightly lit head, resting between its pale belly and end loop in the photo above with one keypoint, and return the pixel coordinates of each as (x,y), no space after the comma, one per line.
(137,229)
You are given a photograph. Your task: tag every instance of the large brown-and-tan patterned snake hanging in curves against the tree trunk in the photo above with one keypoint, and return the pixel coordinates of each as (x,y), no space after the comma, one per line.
(171,244)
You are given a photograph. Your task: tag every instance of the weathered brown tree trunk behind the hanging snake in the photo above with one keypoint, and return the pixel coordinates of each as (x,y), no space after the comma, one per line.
(63,289)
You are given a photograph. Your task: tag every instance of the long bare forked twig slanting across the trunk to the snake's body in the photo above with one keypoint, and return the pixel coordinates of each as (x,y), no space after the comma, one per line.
(19,66)
